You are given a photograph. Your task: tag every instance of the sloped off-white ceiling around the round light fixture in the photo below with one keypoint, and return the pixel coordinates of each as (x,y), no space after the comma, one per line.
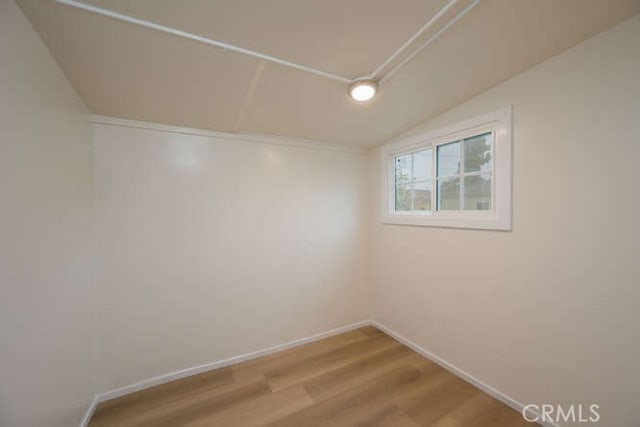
(124,70)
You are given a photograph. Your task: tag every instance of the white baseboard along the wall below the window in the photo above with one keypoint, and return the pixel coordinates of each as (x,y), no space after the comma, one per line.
(491,391)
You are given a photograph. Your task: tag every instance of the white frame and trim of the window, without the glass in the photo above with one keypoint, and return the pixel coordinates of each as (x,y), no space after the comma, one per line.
(498,218)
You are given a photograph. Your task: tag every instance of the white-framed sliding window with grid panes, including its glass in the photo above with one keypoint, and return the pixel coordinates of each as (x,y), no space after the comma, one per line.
(459,176)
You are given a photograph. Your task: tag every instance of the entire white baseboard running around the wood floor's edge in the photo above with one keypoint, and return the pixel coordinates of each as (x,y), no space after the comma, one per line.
(171,376)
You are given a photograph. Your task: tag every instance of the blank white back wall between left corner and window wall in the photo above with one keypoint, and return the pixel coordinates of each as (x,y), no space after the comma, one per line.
(211,248)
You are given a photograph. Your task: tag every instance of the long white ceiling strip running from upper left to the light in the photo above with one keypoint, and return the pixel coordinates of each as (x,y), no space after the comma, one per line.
(201,39)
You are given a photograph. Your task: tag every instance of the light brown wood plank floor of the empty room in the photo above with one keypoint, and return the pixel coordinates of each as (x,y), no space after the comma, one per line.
(359,378)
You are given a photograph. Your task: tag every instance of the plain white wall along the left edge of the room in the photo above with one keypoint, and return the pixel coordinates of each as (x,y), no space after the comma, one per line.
(46,243)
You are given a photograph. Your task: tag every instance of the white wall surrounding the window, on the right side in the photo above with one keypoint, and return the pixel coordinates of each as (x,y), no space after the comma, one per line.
(549,311)
